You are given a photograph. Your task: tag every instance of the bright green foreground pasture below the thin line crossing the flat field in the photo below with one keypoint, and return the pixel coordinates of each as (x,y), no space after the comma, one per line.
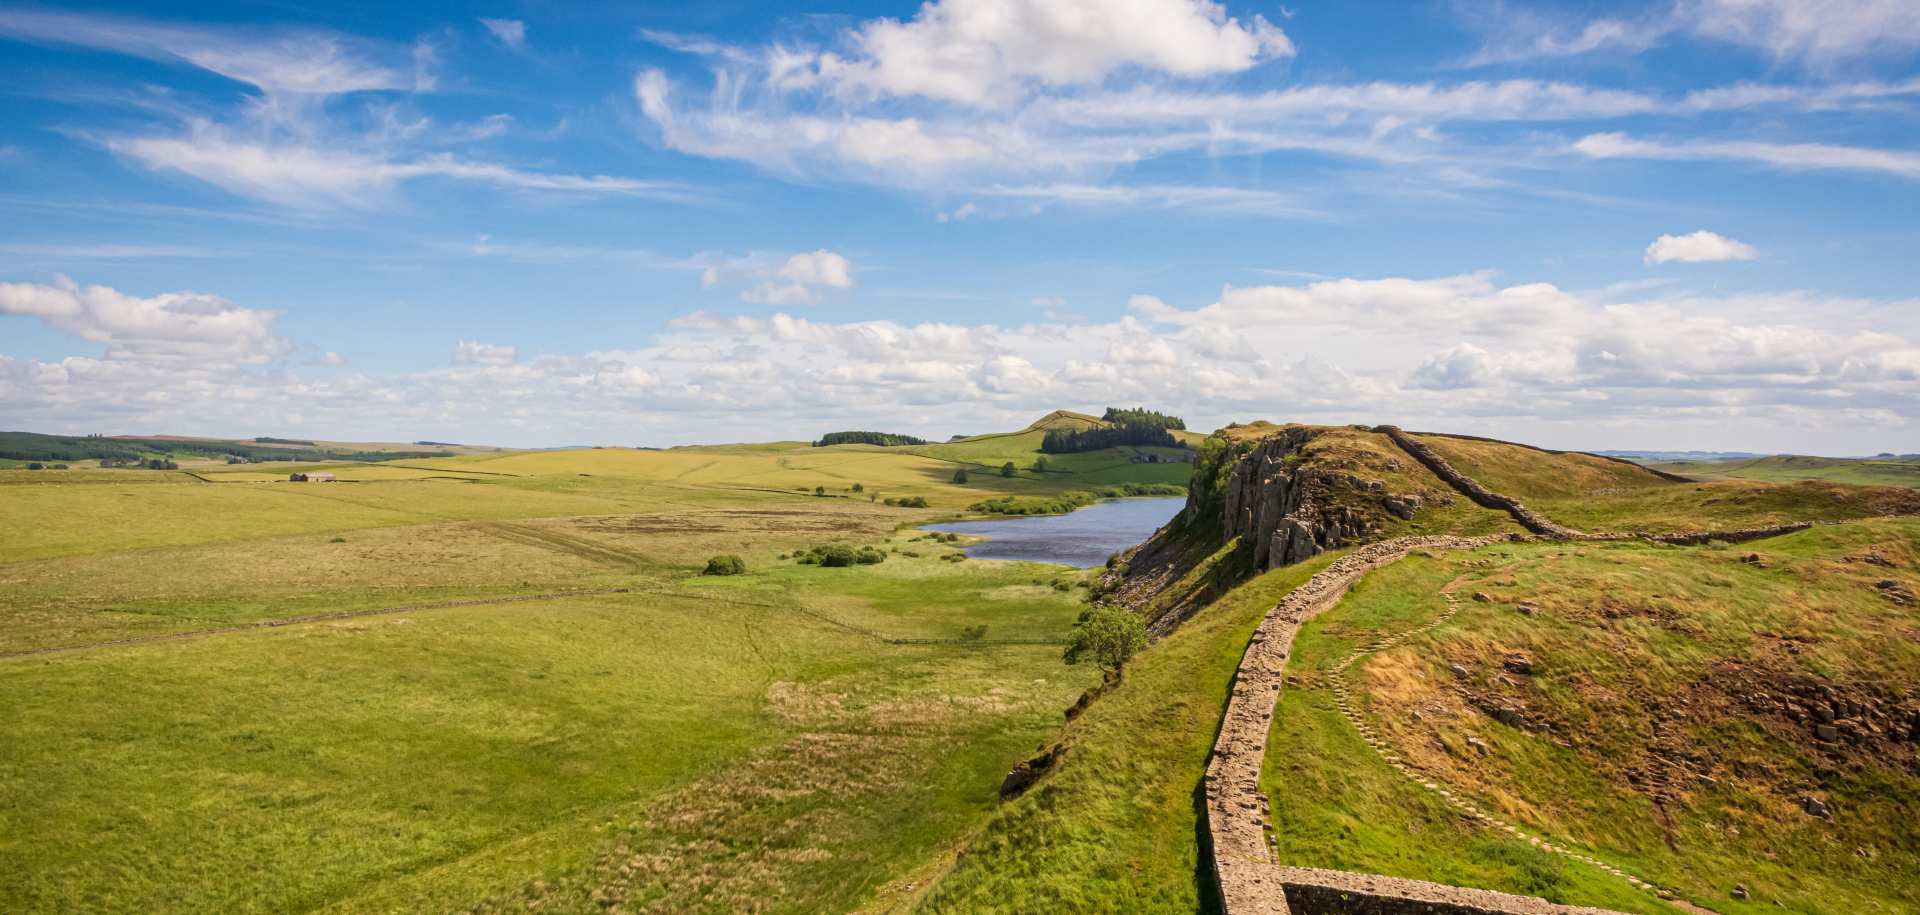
(443,757)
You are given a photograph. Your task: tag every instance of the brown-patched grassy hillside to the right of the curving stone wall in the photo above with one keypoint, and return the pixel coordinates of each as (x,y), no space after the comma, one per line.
(1641,738)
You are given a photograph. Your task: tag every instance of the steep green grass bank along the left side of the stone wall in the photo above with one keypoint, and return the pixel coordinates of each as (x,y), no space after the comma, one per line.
(1116,826)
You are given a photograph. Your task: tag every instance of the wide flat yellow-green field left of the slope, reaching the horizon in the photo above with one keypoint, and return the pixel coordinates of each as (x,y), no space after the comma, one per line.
(681,745)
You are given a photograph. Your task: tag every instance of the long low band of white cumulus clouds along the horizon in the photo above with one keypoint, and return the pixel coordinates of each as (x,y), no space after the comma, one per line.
(1460,352)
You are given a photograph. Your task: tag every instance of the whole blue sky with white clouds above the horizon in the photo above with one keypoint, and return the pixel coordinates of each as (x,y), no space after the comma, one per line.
(1662,225)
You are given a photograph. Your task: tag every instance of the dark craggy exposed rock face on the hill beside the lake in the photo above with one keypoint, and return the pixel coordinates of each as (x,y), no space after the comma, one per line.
(1291,509)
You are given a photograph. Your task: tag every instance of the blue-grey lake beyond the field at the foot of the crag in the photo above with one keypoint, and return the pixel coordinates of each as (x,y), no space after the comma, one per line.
(1084,538)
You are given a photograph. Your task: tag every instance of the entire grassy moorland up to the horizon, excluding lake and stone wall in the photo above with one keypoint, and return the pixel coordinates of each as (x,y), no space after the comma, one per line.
(481,680)
